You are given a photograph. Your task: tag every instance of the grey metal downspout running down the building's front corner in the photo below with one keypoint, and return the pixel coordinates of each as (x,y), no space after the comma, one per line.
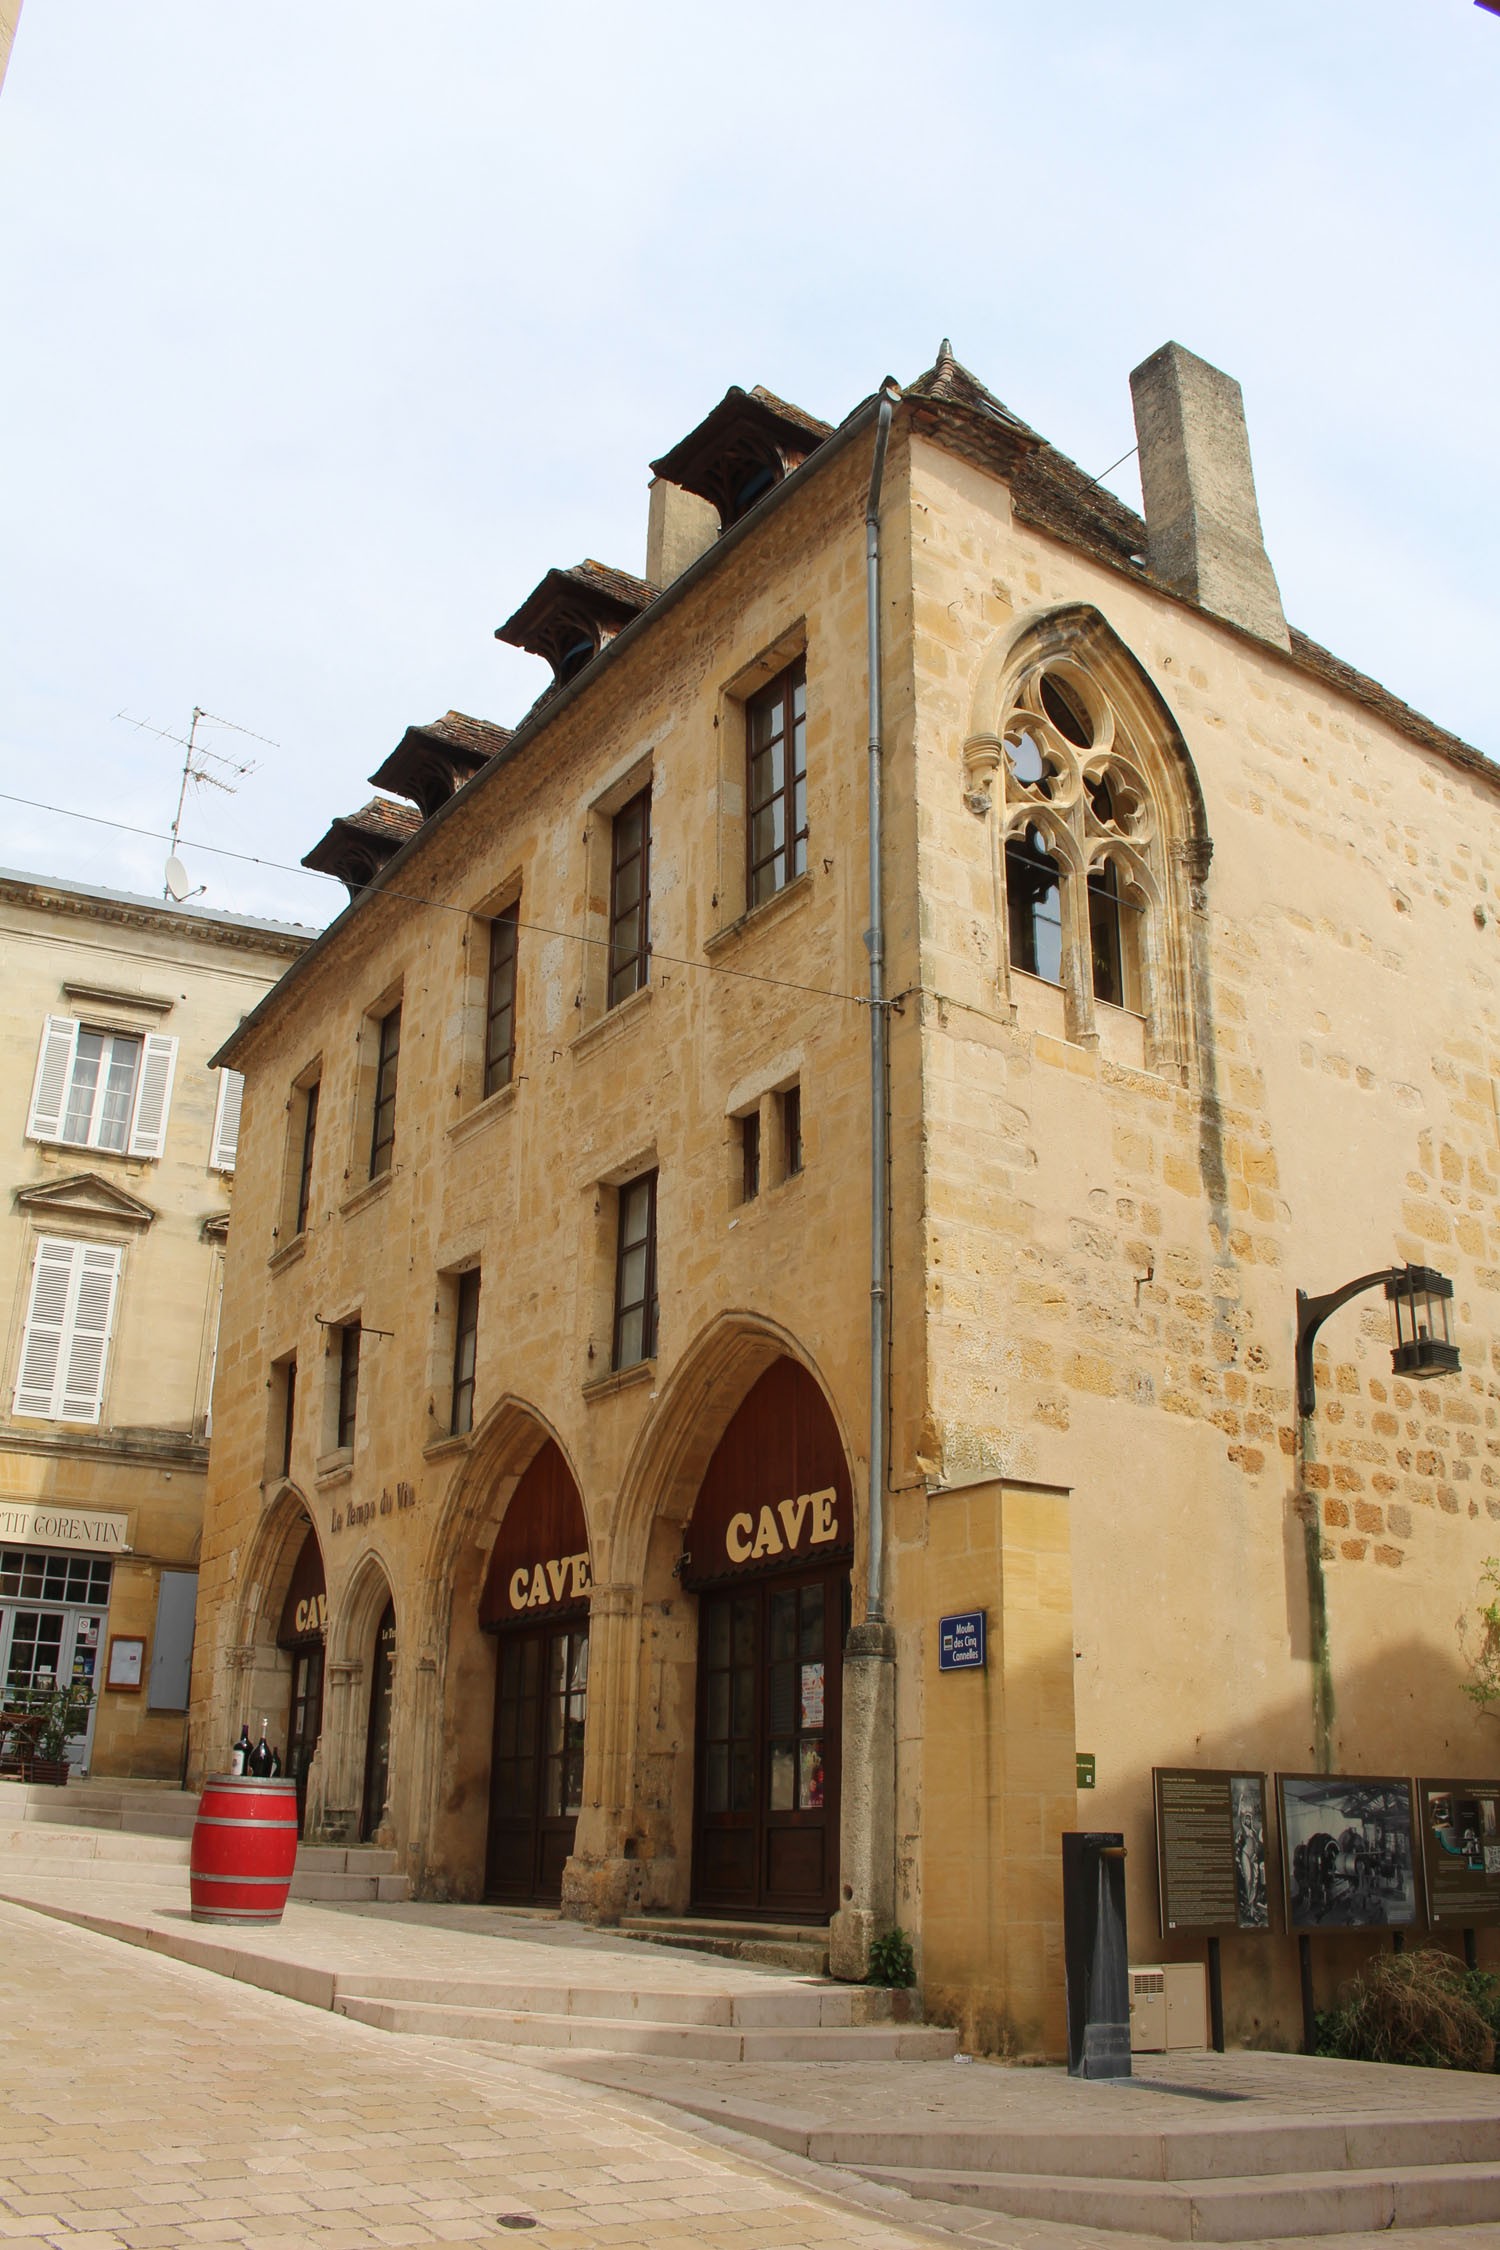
(876,939)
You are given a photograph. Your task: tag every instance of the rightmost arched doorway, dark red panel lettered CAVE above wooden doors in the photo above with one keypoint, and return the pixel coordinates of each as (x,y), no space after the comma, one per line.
(768,1554)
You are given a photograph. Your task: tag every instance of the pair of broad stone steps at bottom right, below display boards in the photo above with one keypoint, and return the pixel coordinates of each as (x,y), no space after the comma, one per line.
(1200,2184)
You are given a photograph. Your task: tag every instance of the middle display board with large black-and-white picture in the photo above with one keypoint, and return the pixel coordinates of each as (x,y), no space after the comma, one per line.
(1348,1851)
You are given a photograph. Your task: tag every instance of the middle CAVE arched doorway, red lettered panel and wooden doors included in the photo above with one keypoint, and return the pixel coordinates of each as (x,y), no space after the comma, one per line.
(536,1601)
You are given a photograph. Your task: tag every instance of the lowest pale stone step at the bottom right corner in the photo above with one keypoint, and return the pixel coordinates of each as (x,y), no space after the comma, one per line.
(1251,2208)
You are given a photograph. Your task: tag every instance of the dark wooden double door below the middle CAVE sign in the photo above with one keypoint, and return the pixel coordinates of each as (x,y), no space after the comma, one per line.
(536,1767)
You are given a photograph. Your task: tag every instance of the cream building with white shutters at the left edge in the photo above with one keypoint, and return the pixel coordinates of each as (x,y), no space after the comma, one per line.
(120,1176)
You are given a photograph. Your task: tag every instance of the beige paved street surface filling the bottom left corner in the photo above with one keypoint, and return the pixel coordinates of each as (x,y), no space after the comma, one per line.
(154,2105)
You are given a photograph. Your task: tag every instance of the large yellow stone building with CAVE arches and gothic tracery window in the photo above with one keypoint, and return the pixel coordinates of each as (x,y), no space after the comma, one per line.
(539,1511)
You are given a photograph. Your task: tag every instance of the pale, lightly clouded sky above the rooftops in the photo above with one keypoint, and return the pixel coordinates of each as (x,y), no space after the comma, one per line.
(329,325)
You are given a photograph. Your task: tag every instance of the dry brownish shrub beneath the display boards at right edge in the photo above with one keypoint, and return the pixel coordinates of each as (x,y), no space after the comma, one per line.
(1416,2008)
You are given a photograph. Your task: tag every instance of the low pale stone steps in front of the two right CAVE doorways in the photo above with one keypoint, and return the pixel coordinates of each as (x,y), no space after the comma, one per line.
(651,2035)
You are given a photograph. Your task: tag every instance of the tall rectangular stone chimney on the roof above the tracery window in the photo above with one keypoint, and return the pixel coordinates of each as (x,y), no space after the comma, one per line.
(1200,492)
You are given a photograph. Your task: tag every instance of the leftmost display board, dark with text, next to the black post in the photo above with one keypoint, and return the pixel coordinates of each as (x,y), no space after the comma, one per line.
(1211,1851)
